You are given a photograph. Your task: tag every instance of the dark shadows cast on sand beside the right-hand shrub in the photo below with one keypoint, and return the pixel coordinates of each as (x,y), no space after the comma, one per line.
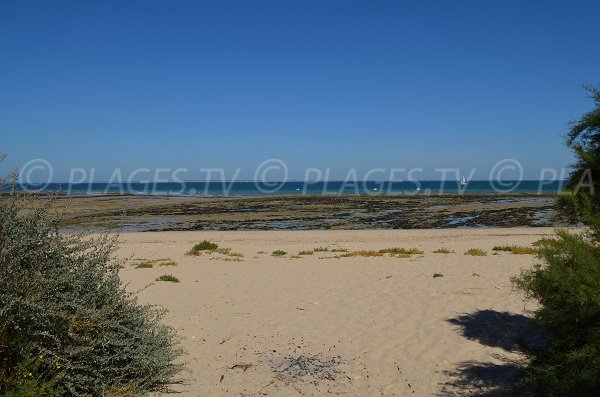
(508,331)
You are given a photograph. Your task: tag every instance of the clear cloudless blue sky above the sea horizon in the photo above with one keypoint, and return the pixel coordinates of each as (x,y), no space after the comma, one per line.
(324,83)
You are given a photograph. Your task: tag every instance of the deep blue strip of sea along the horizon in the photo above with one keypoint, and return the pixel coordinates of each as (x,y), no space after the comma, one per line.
(233,189)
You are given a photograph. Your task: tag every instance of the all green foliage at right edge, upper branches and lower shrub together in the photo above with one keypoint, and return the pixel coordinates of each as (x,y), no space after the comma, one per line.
(567,282)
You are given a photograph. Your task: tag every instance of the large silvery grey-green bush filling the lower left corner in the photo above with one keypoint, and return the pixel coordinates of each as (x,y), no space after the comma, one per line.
(68,325)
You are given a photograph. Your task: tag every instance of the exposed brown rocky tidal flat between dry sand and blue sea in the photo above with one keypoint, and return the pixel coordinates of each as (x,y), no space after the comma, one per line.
(151,213)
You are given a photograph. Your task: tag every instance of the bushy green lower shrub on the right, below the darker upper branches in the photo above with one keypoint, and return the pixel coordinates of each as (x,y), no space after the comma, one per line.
(567,286)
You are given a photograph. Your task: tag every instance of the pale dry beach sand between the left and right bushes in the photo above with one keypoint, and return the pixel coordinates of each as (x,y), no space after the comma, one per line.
(392,326)
